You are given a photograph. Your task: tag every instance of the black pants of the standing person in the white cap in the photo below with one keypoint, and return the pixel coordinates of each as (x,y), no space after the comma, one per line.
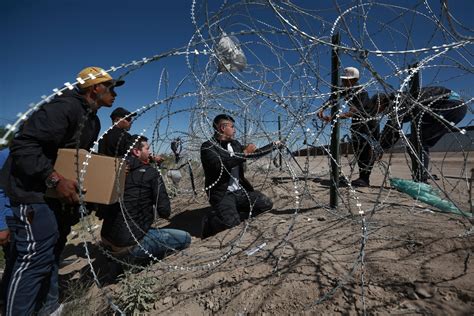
(363,139)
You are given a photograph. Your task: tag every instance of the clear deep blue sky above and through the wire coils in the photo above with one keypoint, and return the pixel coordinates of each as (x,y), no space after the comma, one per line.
(46,43)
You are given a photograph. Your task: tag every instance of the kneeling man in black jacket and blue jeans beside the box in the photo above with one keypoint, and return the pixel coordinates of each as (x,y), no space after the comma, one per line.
(124,227)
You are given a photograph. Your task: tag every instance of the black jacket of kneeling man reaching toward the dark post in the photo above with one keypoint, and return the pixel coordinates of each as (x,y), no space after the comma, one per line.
(217,163)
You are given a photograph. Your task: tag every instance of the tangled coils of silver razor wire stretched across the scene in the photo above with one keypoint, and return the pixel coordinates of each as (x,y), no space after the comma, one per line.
(284,78)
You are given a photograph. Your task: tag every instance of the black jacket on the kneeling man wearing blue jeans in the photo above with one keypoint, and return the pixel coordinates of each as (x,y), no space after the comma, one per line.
(144,188)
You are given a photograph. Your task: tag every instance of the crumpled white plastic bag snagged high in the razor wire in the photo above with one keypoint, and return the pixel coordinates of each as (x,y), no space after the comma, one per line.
(230,55)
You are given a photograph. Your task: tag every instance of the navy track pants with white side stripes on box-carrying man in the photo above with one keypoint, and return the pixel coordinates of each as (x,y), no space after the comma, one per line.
(33,285)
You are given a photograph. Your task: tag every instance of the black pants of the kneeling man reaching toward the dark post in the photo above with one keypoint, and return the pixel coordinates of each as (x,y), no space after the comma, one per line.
(232,209)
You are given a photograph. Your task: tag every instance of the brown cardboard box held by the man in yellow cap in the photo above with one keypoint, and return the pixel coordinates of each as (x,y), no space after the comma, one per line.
(101,176)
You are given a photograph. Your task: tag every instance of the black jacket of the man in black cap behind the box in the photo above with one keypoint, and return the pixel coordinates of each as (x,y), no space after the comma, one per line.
(115,143)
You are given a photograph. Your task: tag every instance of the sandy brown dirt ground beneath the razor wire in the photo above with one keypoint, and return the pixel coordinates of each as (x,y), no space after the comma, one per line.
(379,252)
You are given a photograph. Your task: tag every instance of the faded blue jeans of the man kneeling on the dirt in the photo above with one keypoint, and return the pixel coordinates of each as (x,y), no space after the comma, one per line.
(160,243)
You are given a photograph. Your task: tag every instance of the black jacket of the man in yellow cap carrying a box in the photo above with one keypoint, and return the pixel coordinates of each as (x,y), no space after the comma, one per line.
(64,122)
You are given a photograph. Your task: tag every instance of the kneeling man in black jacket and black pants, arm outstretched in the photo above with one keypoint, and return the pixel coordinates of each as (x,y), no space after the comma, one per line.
(230,194)
